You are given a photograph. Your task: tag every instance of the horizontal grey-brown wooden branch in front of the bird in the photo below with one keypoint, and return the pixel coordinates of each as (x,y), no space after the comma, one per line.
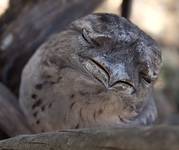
(156,138)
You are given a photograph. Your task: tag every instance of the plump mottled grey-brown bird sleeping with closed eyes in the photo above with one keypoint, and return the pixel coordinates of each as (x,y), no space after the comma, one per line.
(99,72)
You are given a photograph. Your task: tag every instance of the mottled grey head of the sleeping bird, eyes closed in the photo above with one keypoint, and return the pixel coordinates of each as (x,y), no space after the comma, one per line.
(113,56)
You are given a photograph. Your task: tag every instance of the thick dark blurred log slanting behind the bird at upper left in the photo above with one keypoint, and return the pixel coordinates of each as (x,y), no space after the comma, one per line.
(35,22)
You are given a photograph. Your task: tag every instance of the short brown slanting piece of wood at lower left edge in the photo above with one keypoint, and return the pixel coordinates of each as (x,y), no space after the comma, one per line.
(12,120)
